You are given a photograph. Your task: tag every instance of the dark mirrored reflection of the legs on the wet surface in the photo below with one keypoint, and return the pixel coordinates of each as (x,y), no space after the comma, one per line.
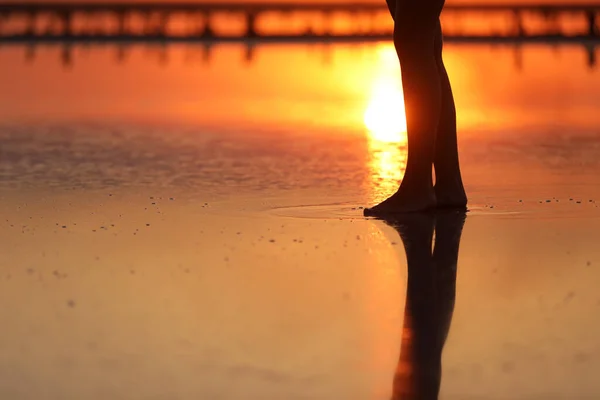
(429,300)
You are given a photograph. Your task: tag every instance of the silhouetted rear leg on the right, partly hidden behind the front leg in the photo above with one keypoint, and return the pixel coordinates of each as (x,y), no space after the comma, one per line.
(449,188)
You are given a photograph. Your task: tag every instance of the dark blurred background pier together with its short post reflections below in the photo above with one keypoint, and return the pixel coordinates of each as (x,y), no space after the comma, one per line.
(126,23)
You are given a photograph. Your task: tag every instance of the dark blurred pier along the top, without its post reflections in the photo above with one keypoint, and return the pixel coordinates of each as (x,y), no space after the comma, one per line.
(54,21)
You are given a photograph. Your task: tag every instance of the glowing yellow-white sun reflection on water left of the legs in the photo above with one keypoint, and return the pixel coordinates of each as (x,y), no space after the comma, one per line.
(385,121)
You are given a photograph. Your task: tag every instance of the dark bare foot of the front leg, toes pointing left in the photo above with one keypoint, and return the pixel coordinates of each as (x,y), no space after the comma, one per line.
(404,201)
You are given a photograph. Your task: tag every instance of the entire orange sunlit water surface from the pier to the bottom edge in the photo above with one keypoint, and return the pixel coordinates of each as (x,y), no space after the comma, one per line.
(176,229)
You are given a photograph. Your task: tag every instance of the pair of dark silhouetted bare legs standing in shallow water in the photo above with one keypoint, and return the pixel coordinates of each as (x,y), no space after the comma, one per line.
(430,112)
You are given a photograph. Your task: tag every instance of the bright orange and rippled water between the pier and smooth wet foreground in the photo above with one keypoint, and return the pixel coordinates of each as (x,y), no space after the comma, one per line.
(334,114)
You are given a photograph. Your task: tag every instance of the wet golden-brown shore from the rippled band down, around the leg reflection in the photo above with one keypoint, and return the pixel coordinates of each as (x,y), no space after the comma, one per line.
(141,278)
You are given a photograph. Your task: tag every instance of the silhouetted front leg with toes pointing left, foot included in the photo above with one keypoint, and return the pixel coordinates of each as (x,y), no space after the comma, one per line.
(415,30)
